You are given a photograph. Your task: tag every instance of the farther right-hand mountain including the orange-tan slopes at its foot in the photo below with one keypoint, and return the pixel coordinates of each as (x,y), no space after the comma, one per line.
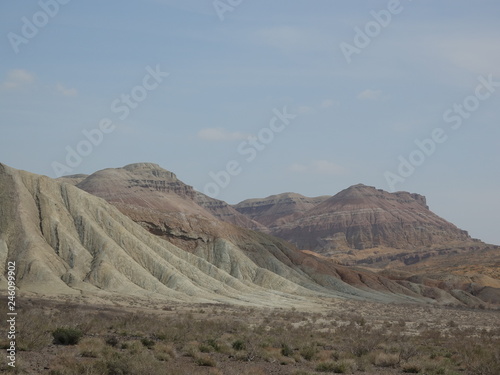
(396,233)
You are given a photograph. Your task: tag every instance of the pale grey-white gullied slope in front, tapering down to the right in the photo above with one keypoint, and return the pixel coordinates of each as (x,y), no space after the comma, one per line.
(66,241)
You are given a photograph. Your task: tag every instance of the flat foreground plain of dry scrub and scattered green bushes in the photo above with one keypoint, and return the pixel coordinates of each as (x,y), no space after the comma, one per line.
(218,341)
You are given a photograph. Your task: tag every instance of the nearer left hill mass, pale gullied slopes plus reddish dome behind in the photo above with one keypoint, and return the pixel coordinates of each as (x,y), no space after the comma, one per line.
(154,236)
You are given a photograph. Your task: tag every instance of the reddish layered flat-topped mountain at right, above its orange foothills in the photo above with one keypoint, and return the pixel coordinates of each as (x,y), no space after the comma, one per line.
(362,217)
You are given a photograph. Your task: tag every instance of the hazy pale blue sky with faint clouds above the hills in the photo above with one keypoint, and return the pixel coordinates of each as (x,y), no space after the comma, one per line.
(249,98)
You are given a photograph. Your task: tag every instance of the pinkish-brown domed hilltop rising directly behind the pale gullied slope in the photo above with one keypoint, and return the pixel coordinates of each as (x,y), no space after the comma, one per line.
(159,201)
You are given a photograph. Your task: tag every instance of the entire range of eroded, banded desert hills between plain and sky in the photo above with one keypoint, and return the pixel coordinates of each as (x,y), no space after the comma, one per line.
(139,231)
